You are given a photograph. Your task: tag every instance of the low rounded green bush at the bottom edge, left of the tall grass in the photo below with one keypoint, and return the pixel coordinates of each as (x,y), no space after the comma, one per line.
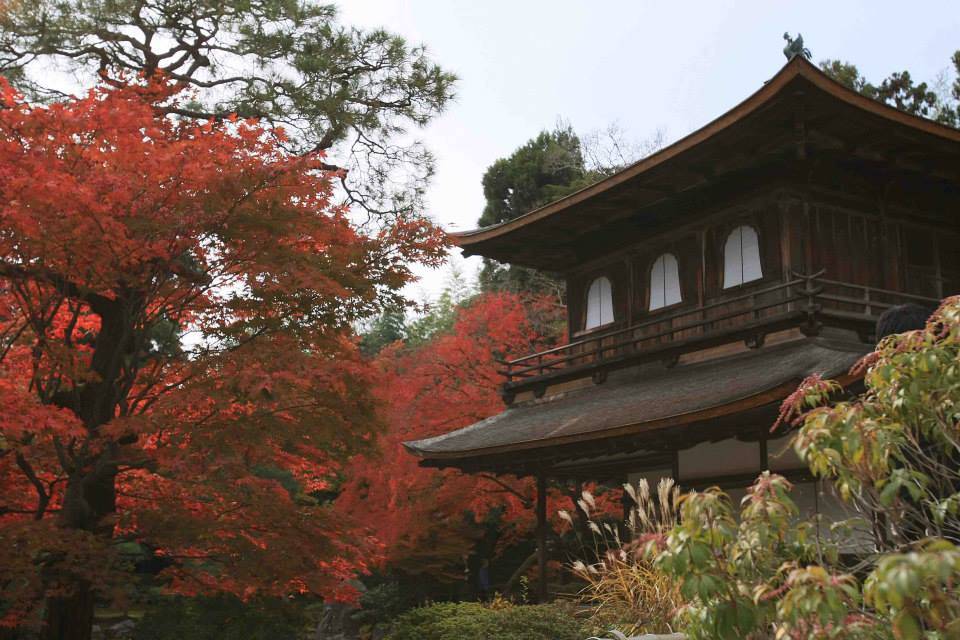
(472,621)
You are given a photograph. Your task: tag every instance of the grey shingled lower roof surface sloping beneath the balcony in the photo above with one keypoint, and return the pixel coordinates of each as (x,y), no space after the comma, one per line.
(649,398)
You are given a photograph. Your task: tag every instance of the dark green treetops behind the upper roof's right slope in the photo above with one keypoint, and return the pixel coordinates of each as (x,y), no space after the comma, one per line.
(900,90)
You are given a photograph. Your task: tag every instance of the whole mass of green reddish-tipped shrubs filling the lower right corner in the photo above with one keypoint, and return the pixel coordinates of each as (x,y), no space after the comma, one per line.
(893,453)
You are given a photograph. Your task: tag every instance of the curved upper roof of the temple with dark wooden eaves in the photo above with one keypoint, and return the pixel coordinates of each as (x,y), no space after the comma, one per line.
(797,114)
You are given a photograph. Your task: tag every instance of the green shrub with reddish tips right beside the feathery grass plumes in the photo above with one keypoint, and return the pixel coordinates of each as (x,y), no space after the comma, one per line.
(733,575)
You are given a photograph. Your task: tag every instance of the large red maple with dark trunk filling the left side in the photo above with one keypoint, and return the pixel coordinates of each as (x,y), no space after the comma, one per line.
(176,354)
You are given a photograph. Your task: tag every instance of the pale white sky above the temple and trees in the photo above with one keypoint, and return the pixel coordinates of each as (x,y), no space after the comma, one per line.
(643,64)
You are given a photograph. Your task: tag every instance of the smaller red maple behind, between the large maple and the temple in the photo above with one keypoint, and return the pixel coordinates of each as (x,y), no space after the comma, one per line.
(427,519)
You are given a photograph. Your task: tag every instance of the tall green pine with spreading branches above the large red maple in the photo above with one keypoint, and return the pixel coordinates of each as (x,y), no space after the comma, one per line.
(348,92)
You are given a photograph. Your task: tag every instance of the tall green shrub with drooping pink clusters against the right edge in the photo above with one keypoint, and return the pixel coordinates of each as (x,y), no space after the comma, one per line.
(895,449)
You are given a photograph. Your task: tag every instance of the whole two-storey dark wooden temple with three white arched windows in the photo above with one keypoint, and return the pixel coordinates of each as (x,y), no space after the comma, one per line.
(707,280)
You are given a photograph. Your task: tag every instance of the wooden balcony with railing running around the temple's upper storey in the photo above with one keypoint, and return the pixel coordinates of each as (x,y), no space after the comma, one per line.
(805,302)
